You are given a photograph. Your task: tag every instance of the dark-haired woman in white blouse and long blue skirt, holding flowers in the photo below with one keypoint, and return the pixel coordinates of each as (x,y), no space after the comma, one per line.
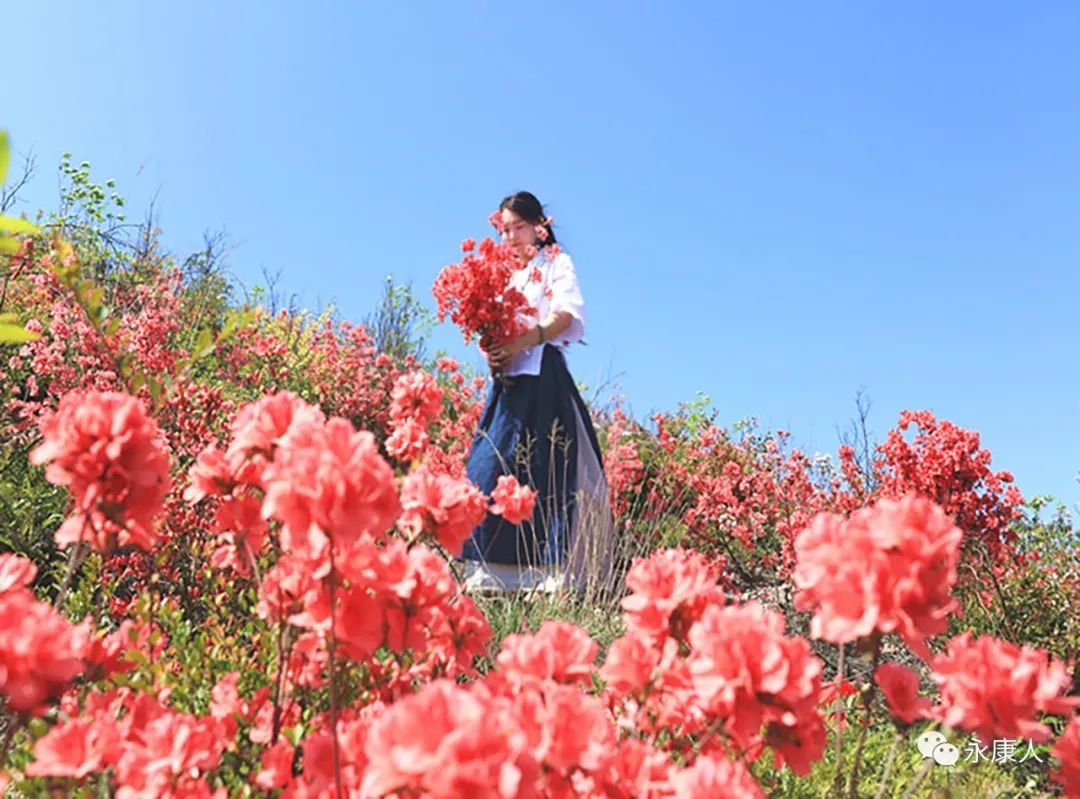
(536,427)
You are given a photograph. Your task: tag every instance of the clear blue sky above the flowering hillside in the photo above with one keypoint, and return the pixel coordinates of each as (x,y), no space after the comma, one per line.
(773,204)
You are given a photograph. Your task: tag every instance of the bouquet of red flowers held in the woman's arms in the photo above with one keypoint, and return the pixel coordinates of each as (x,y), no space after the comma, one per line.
(479,296)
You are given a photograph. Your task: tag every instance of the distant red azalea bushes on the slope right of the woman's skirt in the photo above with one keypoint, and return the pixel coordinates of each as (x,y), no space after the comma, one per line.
(747,494)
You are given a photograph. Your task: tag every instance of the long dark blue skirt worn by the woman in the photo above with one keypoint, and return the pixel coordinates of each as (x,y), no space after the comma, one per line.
(530,430)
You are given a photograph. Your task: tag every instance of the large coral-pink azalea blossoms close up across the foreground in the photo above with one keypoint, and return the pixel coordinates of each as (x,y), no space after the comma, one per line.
(374,642)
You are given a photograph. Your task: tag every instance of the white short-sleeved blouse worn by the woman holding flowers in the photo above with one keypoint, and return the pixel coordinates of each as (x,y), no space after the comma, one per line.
(558,290)
